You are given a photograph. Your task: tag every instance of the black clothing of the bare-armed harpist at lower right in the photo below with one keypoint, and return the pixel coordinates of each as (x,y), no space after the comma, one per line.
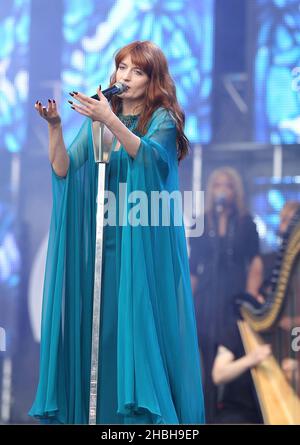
(238,402)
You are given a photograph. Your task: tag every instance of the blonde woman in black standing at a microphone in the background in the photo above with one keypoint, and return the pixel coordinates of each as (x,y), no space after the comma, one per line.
(222,264)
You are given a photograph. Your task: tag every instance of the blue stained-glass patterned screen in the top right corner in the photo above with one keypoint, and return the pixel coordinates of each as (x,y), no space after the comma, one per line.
(277,71)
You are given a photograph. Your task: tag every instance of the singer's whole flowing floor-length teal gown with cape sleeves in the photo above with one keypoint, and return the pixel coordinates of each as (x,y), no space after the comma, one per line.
(149,368)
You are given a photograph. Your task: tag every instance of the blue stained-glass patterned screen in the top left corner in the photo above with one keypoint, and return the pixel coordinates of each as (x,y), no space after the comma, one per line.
(14,38)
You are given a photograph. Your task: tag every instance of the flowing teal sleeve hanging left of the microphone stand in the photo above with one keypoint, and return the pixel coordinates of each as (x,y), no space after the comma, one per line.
(68,285)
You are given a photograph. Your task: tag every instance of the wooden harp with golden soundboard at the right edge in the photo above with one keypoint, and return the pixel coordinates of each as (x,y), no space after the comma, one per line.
(277,322)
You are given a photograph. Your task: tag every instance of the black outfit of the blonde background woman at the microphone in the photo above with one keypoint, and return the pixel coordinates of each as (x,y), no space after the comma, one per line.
(221,265)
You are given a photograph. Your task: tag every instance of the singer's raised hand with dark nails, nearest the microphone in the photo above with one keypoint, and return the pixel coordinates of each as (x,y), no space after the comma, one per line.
(97,110)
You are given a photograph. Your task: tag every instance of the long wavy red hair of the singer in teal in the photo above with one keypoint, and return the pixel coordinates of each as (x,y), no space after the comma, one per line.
(161,90)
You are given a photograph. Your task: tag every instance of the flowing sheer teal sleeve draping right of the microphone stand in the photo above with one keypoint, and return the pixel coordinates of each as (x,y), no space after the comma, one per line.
(157,338)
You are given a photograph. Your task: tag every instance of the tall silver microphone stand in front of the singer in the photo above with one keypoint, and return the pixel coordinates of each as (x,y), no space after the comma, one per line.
(102,155)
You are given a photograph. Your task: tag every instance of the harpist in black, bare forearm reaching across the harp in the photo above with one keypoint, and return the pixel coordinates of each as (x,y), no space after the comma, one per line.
(231,372)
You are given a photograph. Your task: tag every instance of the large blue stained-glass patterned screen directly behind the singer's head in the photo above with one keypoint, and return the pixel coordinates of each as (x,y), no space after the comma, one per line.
(94,31)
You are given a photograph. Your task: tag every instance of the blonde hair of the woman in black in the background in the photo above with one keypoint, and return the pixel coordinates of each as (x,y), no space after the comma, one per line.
(237,185)
